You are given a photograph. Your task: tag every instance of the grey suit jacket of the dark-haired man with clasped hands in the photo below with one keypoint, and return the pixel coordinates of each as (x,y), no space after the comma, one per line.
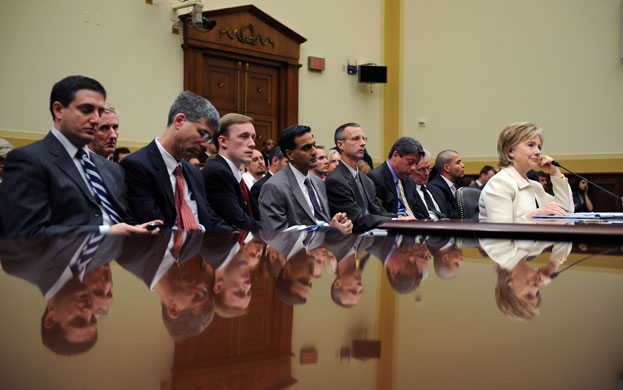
(282,203)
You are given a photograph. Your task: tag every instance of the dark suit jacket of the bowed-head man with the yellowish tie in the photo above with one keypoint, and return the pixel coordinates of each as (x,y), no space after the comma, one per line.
(386,192)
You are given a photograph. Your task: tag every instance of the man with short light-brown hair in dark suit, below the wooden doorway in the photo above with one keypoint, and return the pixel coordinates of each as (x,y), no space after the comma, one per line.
(224,185)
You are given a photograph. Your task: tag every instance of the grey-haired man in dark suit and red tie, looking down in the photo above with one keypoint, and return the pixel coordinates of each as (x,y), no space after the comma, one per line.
(161,185)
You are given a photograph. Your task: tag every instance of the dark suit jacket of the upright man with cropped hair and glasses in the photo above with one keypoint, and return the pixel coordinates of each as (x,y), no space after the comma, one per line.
(345,197)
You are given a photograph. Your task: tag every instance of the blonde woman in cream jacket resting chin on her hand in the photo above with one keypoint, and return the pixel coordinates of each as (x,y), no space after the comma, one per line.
(510,196)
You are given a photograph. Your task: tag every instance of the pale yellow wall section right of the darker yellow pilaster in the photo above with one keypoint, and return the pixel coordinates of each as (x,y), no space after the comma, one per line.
(472,67)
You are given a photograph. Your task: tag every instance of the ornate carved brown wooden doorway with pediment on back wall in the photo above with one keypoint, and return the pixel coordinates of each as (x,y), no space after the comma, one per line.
(247,64)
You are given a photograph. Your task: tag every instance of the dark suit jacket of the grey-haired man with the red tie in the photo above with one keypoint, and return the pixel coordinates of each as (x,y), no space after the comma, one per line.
(151,196)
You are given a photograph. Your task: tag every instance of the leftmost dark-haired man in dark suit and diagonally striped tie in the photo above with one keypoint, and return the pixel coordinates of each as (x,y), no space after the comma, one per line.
(56,186)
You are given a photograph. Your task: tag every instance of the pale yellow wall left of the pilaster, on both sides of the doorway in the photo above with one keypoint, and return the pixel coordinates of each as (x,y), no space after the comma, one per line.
(128,46)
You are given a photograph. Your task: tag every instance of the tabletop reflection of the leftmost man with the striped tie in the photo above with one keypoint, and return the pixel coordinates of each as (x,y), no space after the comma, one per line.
(64,269)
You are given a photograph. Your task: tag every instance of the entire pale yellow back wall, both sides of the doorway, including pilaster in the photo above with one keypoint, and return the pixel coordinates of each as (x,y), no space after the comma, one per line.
(469,68)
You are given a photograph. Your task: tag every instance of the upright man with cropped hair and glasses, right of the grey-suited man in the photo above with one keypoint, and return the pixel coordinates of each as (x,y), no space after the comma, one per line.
(350,191)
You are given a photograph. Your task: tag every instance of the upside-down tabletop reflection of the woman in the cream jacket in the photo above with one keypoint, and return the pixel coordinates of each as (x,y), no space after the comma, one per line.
(517,289)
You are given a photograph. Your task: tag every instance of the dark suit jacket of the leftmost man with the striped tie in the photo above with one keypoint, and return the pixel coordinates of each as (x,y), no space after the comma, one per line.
(43,193)
